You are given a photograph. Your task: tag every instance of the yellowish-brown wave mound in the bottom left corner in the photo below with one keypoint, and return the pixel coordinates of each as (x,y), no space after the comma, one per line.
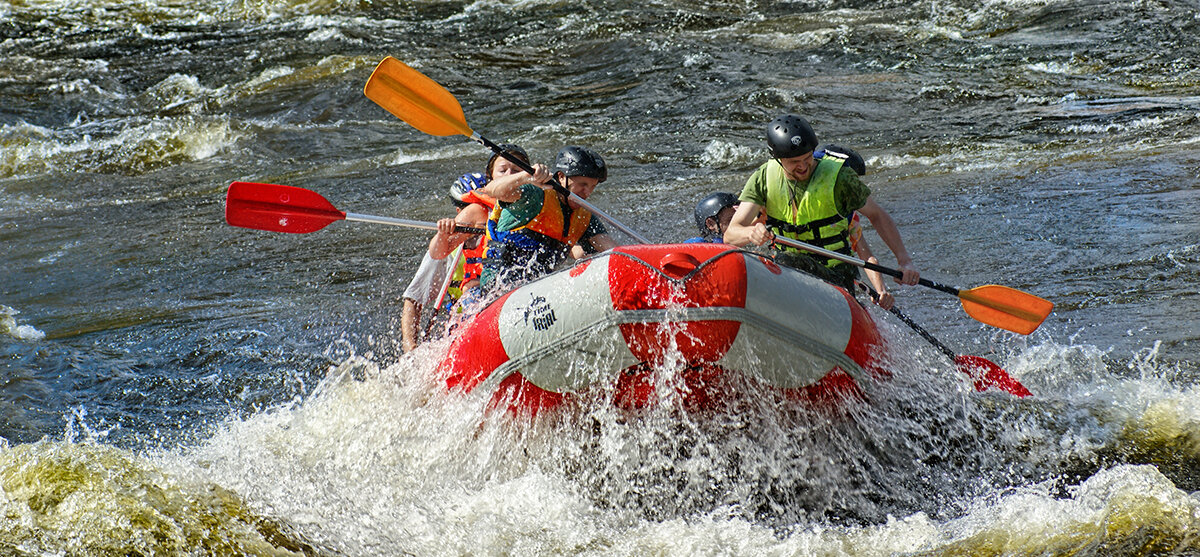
(88,499)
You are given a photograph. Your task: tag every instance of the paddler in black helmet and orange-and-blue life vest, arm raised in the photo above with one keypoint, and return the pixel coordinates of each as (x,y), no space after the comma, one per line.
(533,229)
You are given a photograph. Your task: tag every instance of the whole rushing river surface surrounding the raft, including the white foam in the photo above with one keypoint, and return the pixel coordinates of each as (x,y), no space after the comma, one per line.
(171,385)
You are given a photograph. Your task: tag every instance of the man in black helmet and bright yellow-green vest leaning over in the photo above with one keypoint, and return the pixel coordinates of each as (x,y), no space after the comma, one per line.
(811,201)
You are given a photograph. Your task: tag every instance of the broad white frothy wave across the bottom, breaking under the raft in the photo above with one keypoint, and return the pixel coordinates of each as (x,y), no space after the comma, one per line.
(447,477)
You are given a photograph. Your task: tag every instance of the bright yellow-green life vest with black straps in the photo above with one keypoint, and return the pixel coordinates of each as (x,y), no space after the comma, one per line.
(811,217)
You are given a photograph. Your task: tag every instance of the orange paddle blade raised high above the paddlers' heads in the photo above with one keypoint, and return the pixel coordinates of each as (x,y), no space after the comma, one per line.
(412,97)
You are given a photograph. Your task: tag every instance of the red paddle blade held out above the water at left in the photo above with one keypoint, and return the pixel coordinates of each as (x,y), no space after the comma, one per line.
(271,207)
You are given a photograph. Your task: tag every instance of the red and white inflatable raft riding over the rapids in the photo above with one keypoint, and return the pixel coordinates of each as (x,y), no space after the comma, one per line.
(705,309)
